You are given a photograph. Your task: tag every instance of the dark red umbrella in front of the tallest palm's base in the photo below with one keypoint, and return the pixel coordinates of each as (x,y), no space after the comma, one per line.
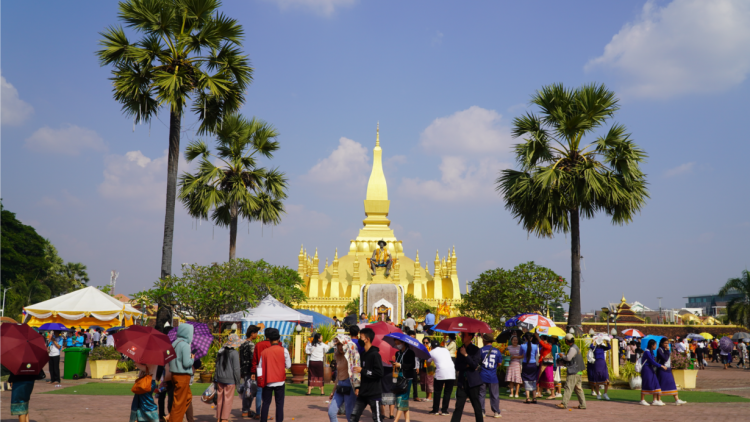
(144,345)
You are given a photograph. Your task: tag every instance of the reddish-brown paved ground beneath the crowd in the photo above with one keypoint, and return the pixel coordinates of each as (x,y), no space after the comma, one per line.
(56,408)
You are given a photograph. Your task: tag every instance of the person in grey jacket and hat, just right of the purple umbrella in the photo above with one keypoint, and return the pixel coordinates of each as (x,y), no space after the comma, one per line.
(227,377)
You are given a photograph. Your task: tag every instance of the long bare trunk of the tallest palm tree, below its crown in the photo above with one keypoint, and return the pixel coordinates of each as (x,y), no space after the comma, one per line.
(175,118)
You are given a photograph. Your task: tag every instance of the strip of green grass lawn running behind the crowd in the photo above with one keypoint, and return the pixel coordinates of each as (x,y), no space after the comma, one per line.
(123,389)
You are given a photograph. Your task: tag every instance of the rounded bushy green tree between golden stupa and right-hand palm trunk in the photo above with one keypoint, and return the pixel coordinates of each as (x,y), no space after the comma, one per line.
(504,293)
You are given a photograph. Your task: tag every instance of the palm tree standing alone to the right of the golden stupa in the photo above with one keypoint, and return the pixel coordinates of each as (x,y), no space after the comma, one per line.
(562,179)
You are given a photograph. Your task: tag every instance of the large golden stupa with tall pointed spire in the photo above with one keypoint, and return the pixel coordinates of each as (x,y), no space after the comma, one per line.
(349,276)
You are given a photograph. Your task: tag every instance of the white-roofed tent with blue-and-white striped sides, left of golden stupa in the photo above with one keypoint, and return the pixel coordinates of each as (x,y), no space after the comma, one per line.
(271,314)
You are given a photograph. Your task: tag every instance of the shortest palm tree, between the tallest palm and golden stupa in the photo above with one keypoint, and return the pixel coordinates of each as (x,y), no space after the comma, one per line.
(238,187)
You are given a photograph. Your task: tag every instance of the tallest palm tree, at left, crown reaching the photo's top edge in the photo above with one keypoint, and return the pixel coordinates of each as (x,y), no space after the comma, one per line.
(188,57)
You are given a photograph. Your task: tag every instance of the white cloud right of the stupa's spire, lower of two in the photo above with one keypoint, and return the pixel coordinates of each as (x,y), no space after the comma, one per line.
(461,179)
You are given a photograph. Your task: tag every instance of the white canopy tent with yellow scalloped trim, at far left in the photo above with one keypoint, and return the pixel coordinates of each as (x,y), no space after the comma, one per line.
(82,308)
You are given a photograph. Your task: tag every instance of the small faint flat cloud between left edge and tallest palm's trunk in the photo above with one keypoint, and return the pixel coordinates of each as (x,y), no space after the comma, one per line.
(69,140)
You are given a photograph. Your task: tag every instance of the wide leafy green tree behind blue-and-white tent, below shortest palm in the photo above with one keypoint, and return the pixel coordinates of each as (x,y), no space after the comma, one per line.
(206,292)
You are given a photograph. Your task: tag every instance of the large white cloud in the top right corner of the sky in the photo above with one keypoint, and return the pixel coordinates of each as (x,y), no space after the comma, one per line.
(687,46)
